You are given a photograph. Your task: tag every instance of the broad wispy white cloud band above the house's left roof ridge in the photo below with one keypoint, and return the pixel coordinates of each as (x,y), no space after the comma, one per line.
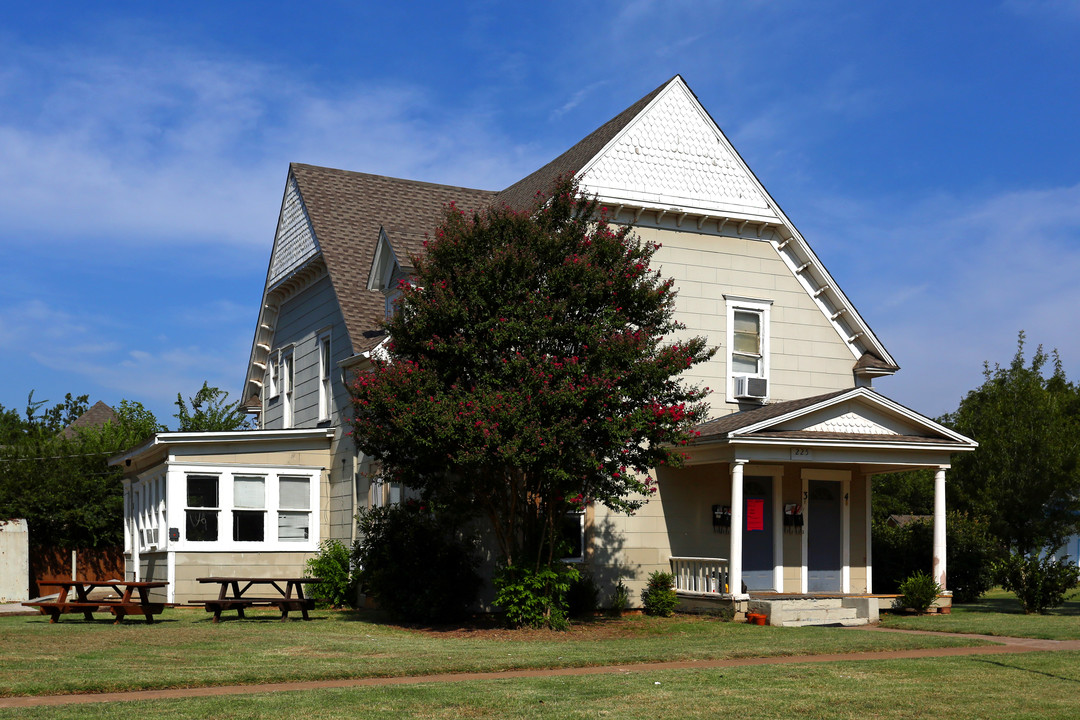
(167,145)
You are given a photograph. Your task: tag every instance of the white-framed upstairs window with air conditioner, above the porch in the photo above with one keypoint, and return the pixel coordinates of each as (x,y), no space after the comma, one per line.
(748,344)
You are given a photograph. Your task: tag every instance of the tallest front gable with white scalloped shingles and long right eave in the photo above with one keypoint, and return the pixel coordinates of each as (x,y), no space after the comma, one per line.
(666,157)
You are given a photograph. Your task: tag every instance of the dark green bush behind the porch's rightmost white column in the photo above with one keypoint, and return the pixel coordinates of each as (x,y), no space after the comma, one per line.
(899,553)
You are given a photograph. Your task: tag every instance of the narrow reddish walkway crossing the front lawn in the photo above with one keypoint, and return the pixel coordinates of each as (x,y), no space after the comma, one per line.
(1003,646)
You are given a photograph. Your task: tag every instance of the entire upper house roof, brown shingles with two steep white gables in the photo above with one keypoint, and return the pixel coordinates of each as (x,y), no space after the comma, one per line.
(664,155)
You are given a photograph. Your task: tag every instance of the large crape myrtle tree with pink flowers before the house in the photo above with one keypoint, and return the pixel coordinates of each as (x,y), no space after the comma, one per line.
(528,372)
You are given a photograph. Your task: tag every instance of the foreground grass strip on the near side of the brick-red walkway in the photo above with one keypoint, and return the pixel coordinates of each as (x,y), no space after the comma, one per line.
(1043,686)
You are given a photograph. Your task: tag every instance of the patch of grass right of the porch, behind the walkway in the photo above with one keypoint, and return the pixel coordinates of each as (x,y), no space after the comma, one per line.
(998,614)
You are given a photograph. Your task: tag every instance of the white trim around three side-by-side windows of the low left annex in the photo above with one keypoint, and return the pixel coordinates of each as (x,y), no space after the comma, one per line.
(225,544)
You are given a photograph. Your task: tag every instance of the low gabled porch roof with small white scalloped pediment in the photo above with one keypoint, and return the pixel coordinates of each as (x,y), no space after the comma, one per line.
(859,415)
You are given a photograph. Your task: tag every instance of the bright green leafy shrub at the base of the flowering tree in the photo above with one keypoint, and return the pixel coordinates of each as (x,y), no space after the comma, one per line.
(535,599)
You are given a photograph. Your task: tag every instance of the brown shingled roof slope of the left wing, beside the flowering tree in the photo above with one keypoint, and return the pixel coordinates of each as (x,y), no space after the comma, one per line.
(347,210)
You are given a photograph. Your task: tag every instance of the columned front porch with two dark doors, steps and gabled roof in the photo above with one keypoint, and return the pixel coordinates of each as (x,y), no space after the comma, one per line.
(772,513)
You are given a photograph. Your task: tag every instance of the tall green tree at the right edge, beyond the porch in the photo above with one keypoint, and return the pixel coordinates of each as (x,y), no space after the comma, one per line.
(1024,478)
